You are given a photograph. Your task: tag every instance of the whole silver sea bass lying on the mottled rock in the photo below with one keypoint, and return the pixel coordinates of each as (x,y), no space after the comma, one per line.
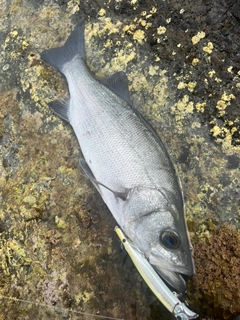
(125,160)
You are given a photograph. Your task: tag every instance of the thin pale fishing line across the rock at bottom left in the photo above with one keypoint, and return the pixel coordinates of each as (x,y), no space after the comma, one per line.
(58,308)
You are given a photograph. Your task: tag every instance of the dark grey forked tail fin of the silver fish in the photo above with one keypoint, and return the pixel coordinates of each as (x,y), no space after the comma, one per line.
(75,45)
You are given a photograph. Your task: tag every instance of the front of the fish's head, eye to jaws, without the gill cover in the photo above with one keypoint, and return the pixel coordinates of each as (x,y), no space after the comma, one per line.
(167,248)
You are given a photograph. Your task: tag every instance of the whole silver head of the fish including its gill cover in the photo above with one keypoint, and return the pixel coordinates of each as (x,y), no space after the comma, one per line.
(162,236)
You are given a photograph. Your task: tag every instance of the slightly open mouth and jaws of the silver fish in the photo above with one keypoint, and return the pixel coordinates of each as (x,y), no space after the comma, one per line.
(171,273)
